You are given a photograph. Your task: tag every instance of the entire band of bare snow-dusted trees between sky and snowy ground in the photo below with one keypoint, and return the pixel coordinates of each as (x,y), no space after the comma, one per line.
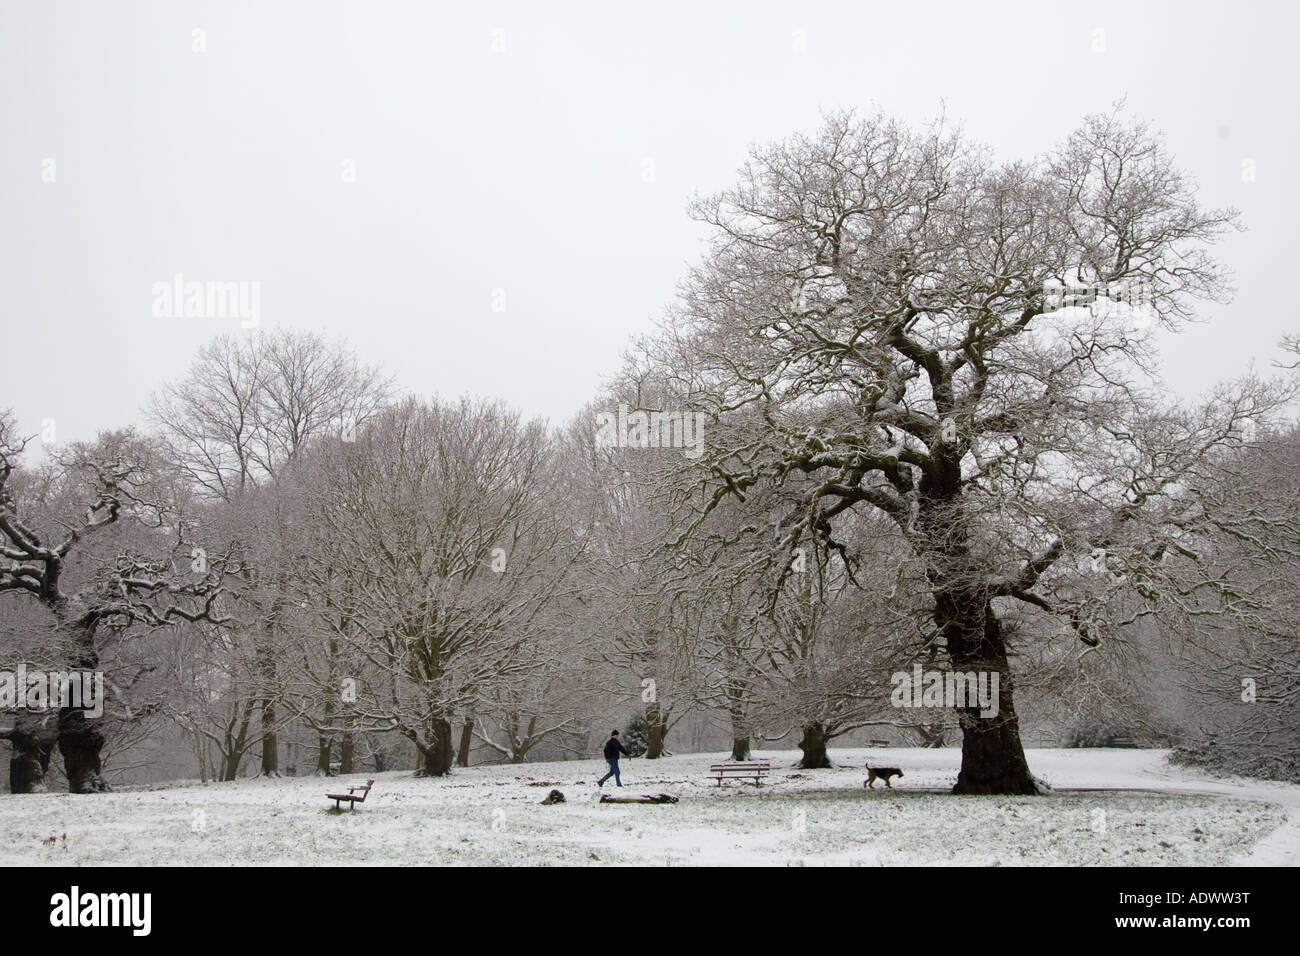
(870,436)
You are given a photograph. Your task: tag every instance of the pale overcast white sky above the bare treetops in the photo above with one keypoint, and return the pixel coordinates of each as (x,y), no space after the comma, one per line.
(522,170)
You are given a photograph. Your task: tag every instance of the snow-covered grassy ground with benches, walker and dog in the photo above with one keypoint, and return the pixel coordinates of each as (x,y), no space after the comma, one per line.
(1151,815)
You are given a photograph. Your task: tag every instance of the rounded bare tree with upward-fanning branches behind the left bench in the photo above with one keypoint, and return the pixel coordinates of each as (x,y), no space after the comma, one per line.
(443,529)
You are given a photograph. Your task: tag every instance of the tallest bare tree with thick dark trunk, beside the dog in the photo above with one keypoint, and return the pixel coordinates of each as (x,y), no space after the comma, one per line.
(879,314)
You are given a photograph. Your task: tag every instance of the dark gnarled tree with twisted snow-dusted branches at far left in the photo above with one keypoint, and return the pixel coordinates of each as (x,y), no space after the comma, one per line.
(149,579)
